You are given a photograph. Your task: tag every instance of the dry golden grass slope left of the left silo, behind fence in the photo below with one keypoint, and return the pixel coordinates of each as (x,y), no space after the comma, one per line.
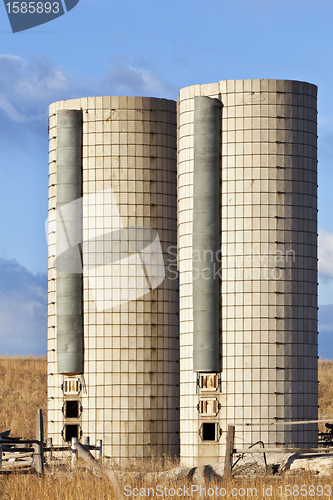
(23,389)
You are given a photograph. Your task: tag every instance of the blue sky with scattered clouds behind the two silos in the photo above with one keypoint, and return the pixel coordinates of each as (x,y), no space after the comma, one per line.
(102,47)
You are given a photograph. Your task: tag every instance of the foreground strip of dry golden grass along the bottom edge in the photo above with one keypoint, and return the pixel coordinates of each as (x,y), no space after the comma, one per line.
(81,484)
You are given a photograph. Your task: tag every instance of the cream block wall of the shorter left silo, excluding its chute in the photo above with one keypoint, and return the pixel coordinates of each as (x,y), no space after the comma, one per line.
(130,386)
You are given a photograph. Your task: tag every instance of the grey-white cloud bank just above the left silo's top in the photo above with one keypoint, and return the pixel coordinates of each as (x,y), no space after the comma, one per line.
(28,86)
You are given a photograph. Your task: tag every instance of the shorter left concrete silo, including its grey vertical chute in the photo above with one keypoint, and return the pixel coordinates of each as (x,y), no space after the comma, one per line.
(113,353)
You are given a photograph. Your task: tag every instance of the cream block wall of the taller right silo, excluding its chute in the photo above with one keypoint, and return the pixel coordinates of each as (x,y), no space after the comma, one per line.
(268,266)
